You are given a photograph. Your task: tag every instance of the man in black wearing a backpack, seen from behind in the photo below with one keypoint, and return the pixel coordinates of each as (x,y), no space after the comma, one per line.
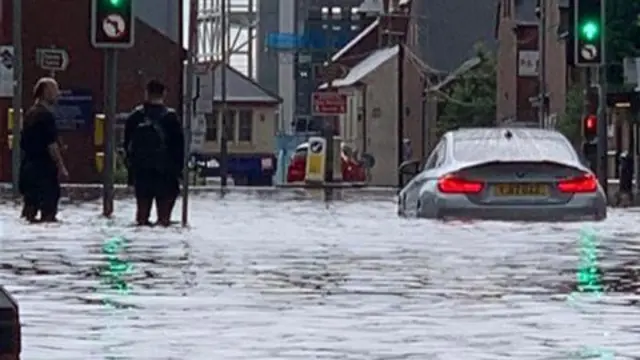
(154,148)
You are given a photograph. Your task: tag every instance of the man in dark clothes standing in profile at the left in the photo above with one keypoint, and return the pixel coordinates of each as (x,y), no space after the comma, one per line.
(42,166)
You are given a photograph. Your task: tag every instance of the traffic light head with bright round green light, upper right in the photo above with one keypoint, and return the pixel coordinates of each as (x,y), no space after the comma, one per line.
(589,32)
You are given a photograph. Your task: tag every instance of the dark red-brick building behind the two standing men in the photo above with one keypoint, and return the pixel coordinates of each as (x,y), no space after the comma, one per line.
(65,25)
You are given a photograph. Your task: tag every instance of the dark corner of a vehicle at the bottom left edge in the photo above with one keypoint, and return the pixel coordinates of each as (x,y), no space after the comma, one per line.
(10,330)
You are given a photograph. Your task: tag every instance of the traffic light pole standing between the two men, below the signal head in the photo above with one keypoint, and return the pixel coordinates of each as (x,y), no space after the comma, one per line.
(110,78)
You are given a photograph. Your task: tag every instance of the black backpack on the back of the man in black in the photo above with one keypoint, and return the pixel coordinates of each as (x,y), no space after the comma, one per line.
(148,147)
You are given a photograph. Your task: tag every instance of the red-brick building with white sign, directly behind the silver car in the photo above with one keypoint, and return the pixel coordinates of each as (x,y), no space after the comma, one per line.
(518,58)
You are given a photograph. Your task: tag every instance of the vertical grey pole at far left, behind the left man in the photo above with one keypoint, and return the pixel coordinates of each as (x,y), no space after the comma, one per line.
(17,94)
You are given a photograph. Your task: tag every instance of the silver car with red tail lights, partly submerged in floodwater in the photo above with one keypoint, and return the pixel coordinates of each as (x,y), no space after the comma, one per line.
(502,174)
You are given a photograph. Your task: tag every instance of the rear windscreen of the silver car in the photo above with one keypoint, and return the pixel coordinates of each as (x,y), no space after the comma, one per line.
(501,149)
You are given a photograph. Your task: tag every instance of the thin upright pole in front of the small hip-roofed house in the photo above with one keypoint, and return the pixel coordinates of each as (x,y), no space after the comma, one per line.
(224,139)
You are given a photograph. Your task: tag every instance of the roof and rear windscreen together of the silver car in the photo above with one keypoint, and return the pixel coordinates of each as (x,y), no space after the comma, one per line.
(510,143)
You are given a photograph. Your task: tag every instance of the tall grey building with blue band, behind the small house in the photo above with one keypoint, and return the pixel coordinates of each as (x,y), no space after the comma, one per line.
(322,27)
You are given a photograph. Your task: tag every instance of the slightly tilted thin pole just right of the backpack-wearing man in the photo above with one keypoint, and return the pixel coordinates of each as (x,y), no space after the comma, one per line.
(189,106)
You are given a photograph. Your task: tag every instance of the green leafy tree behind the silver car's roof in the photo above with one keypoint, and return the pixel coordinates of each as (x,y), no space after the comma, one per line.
(470,100)
